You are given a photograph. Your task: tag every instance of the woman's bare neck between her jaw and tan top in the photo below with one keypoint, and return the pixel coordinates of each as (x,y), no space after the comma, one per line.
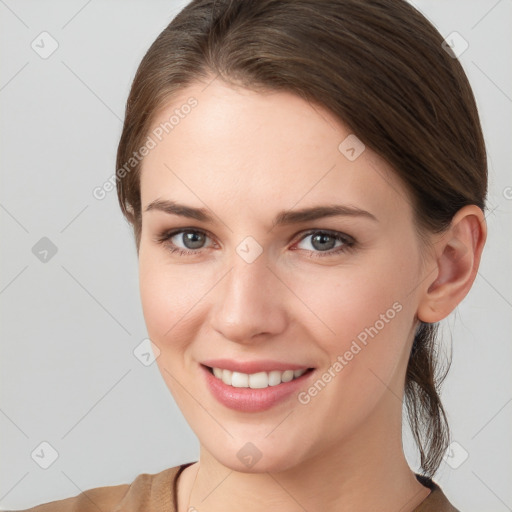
(365,471)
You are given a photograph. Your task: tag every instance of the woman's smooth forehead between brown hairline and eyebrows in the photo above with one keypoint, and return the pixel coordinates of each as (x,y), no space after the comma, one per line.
(256,150)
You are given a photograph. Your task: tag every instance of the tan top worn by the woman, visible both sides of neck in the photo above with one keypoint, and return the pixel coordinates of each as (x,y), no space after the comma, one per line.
(157,493)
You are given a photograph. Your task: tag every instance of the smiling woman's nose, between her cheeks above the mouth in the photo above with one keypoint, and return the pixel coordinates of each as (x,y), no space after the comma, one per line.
(250,302)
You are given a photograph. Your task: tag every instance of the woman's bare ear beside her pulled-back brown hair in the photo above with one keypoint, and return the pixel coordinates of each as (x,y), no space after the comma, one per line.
(457,257)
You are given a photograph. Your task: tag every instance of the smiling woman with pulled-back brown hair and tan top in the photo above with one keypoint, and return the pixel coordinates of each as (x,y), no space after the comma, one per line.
(306,181)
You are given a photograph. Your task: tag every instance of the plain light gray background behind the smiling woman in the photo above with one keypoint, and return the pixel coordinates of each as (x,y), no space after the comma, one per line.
(69,326)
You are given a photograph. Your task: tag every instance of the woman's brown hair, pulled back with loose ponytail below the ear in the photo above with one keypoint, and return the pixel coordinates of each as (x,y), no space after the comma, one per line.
(379,67)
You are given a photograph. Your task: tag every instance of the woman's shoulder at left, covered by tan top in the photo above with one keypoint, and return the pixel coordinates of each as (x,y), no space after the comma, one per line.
(146,490)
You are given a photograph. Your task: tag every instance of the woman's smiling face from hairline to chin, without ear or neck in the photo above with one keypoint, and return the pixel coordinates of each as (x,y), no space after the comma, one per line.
(262,281)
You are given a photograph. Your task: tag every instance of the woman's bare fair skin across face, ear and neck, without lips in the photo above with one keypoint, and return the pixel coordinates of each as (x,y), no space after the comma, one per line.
(245,156)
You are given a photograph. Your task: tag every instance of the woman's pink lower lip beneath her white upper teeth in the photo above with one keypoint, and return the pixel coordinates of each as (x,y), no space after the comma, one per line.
(252,400)
